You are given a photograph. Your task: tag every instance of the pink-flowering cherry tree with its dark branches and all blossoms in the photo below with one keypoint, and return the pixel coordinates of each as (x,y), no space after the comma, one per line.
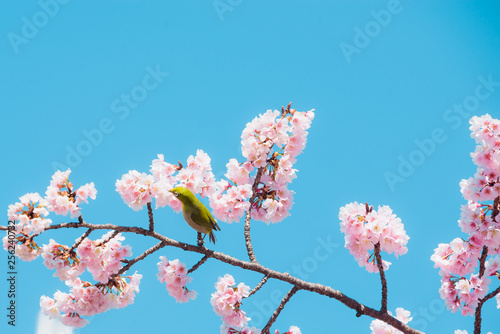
(255,188)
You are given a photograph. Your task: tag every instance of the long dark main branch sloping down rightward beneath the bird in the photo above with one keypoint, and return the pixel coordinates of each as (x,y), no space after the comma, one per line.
(252,266)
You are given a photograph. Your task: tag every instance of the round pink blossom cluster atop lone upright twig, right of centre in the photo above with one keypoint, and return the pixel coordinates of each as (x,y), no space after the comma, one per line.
(364,228)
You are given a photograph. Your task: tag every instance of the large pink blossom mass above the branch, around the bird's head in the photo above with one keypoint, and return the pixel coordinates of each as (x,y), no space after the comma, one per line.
(270,144)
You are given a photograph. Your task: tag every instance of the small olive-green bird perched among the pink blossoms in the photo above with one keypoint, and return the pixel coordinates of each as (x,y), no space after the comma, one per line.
(195,213)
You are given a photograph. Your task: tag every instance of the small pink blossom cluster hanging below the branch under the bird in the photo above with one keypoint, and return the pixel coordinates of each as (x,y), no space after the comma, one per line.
(174,274)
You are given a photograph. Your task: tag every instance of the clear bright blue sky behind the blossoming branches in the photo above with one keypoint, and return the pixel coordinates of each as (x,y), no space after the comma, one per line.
(86,69)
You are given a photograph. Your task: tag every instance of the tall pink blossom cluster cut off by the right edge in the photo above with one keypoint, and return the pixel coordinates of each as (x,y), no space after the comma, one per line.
(461,289)
